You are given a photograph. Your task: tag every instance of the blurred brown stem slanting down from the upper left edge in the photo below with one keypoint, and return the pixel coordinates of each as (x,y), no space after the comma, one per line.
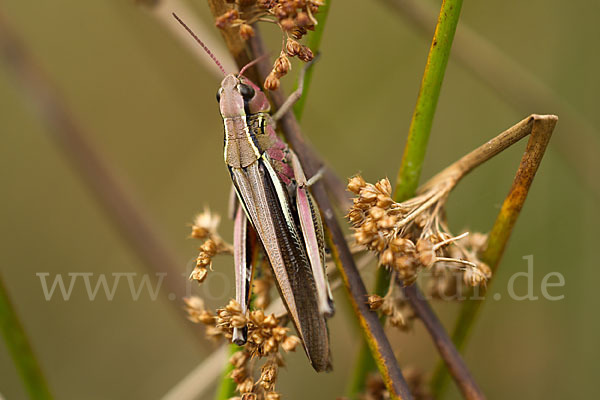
(133,224)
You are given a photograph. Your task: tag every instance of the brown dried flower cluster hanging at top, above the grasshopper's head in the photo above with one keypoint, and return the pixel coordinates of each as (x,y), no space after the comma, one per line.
(295,17)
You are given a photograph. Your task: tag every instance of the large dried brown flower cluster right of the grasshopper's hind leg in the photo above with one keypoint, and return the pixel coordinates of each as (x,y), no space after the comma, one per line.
(411,235)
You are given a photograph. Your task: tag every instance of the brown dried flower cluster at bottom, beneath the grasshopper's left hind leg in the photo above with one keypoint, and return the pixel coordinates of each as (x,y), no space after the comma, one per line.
(266,336)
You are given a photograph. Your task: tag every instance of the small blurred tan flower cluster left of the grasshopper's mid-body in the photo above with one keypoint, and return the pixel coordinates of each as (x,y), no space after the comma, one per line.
(205,228)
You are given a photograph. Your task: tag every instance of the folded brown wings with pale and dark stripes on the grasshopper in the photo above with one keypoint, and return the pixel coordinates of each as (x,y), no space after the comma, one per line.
(267,206)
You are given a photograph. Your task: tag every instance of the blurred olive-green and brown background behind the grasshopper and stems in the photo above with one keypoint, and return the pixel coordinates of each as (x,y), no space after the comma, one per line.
(149,109)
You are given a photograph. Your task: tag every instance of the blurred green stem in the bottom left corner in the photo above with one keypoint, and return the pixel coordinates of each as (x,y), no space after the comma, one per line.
(20,349)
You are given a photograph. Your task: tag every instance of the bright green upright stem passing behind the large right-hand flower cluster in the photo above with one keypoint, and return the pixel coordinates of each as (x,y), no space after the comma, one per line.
(418,137)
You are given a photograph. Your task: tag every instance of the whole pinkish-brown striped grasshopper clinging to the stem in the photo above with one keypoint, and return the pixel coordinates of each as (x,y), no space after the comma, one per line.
(273,199)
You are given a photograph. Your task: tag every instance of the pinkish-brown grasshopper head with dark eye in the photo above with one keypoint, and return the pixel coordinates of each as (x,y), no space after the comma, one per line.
(238,96)
